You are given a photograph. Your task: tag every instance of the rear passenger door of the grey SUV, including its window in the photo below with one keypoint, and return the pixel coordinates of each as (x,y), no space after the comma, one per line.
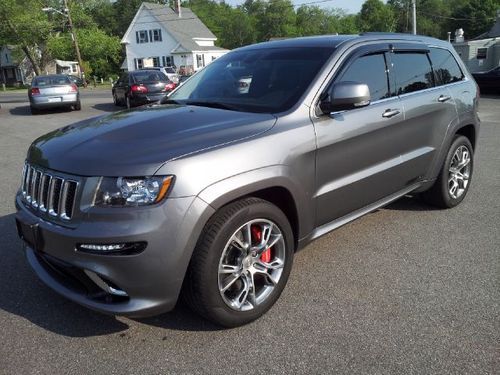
(429,109)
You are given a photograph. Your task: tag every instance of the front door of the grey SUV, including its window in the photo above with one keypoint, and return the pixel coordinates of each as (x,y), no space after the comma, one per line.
(358,157)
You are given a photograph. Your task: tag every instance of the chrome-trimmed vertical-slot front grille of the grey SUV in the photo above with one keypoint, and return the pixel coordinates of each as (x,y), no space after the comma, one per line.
(48,193)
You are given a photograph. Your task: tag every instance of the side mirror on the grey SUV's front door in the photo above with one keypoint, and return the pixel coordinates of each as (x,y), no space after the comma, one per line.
(345,95)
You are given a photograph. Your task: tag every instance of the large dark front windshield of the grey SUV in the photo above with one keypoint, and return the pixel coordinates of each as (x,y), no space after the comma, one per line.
(266,80)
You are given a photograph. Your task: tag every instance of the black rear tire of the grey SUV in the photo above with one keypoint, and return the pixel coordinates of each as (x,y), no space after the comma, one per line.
(439,194)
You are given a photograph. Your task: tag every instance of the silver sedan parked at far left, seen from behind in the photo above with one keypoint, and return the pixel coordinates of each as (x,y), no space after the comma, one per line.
(53,91)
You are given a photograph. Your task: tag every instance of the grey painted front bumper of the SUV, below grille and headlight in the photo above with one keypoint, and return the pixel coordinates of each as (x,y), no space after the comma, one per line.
(151,279)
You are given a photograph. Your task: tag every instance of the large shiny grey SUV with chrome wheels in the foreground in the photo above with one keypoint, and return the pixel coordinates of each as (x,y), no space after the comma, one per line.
(211,193)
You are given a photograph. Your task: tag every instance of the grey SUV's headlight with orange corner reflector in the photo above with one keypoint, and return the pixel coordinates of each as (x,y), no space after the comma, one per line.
(131,191)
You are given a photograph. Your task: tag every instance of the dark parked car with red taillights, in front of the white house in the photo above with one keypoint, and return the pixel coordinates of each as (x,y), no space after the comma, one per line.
(141,87)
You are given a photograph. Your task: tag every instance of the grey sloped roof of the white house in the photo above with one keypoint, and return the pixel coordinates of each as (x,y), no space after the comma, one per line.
(184,29)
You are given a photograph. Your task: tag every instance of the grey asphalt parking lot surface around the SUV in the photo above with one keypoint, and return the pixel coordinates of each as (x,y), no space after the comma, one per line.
(406,289)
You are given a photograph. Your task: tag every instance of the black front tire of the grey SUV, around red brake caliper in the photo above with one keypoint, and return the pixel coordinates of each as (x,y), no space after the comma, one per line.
(201,285)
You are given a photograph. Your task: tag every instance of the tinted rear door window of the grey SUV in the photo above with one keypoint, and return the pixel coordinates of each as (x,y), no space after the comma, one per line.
(413,72)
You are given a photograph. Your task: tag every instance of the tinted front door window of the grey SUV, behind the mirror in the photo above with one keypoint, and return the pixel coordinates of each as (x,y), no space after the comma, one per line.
(371,70)
